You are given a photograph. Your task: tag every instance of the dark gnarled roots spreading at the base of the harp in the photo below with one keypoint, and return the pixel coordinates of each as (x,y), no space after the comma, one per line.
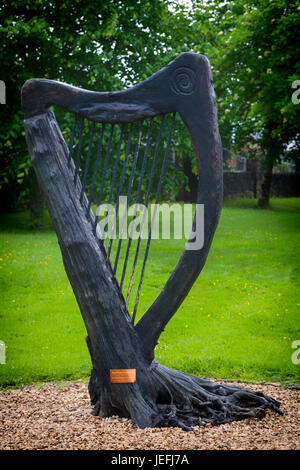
(182,400)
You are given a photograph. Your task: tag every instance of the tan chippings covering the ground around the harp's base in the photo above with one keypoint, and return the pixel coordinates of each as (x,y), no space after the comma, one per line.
(58,417)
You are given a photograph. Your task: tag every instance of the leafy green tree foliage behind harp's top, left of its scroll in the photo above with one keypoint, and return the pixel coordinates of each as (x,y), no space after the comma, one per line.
(100,45)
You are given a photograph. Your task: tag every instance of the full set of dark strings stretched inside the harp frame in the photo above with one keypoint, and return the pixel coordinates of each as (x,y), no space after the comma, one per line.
(123,166)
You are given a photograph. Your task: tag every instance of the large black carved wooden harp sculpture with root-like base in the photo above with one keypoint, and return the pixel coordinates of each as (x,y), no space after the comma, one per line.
(125,379)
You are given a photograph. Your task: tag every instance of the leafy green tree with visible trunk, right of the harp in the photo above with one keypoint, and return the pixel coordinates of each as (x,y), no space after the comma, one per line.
(256,61)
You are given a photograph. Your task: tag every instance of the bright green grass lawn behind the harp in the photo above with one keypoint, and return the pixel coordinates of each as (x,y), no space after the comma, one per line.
(239,320)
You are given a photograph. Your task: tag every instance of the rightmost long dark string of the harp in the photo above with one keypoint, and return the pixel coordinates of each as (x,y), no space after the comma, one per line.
(154,215)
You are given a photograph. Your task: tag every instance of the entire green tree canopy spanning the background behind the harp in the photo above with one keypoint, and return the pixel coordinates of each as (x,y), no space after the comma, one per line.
(253,47)
